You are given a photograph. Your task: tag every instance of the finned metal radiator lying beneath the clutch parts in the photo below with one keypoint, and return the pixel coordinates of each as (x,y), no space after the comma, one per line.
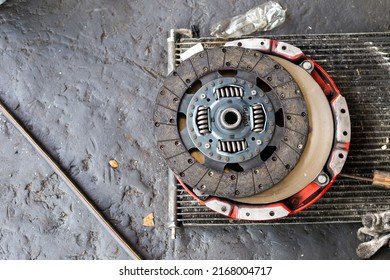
(360,66)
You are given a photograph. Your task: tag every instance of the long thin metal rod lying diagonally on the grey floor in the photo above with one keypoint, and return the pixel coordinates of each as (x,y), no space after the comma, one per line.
(86,201)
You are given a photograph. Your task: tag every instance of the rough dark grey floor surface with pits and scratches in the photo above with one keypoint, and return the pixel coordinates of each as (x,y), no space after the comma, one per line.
(83,76)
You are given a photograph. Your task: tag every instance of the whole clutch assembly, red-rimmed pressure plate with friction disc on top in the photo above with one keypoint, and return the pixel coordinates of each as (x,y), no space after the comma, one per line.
(254,130)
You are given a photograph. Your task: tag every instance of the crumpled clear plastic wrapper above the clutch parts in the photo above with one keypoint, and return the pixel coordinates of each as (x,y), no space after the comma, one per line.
(261,18)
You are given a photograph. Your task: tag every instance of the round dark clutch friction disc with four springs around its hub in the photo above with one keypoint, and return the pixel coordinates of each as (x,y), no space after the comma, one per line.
(231,122)
